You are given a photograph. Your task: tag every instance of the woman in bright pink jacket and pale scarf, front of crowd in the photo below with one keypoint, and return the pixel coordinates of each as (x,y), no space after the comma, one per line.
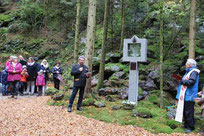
(14,70)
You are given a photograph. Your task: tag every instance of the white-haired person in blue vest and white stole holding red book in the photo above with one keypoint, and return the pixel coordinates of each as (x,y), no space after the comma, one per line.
(190,94)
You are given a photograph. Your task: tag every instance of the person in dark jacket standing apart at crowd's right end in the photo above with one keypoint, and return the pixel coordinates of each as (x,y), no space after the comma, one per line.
(56,71)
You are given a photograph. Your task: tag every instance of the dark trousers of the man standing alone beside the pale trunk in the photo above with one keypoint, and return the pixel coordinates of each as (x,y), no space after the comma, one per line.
(81,94)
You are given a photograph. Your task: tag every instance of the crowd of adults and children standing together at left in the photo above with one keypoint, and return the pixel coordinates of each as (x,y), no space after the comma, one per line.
(27,77)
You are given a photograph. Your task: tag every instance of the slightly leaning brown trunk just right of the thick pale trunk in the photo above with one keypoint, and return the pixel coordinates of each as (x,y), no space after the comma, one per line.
(102,61)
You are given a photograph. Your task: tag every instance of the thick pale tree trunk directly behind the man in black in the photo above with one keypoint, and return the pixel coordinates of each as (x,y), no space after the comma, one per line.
(91,26)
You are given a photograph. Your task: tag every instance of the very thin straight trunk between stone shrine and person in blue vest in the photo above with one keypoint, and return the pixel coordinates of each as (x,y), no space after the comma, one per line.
(161,54)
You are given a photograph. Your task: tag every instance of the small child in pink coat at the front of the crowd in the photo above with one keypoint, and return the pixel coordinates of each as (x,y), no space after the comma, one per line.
(40,82)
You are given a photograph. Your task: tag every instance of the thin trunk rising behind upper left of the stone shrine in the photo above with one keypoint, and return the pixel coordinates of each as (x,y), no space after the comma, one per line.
(122,23)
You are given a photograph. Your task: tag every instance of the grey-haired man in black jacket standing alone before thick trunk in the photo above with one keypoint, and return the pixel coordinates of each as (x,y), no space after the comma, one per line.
(80,73)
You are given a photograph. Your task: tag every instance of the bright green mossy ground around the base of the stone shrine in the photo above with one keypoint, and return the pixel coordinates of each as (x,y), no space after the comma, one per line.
(159,123)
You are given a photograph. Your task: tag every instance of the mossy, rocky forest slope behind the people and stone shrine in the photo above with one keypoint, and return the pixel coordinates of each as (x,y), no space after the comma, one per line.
(46,29)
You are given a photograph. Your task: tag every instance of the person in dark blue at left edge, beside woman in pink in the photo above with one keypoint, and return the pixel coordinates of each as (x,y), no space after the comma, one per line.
(3,80)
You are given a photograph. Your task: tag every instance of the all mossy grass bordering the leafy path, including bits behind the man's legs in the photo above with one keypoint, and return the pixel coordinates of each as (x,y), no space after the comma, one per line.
(159,123)
